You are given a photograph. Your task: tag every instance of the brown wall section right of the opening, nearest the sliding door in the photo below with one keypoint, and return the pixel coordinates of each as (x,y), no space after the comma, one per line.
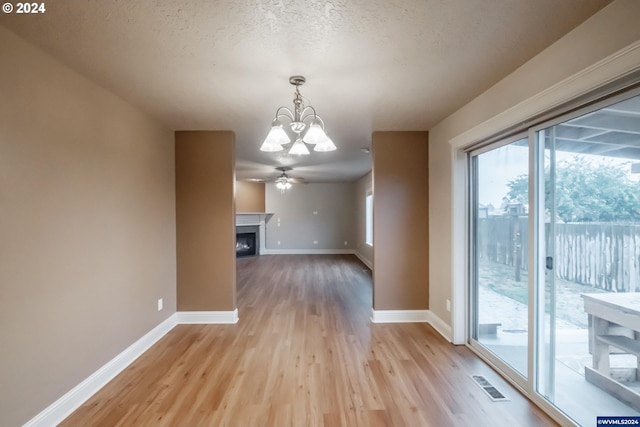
(400,222)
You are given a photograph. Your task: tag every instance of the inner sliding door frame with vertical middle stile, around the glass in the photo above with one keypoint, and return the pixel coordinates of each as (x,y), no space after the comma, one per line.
(531,384)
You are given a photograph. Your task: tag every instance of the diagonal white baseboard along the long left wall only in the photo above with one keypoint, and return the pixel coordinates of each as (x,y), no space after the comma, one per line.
(69,402)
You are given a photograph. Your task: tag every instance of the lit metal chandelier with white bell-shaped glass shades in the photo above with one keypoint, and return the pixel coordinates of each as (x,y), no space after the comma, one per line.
(302,118)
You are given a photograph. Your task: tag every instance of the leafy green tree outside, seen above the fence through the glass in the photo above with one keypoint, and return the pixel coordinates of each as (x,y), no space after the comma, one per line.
(586,191)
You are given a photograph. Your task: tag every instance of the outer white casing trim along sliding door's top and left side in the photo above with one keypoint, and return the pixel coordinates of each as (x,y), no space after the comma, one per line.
(619,70)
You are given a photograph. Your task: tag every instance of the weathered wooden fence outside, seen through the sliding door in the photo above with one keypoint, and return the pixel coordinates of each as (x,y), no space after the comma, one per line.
(598,255)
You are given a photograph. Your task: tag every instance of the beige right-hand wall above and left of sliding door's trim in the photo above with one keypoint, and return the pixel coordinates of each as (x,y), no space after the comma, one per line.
(610,30)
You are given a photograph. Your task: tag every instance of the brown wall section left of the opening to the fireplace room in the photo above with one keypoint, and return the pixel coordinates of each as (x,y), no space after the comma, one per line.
(205,217)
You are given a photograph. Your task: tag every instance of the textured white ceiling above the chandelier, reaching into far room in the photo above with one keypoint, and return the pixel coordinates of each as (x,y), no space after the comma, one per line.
(370,64)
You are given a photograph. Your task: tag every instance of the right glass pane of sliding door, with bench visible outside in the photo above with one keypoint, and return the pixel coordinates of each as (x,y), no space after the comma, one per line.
(588,199)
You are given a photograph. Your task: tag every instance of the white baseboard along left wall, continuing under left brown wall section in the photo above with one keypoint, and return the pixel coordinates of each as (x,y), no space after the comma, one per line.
(73,399)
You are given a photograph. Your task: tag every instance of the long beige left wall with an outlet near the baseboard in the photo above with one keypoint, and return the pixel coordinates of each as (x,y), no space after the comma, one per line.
(87,228)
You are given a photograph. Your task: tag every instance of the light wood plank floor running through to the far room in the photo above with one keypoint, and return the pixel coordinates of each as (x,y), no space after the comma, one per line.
(304,353)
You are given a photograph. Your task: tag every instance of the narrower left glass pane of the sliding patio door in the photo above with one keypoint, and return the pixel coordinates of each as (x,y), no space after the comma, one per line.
(500,276)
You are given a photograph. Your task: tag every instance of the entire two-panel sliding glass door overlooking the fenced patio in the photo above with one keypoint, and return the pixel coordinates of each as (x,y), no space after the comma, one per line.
(554,255)
